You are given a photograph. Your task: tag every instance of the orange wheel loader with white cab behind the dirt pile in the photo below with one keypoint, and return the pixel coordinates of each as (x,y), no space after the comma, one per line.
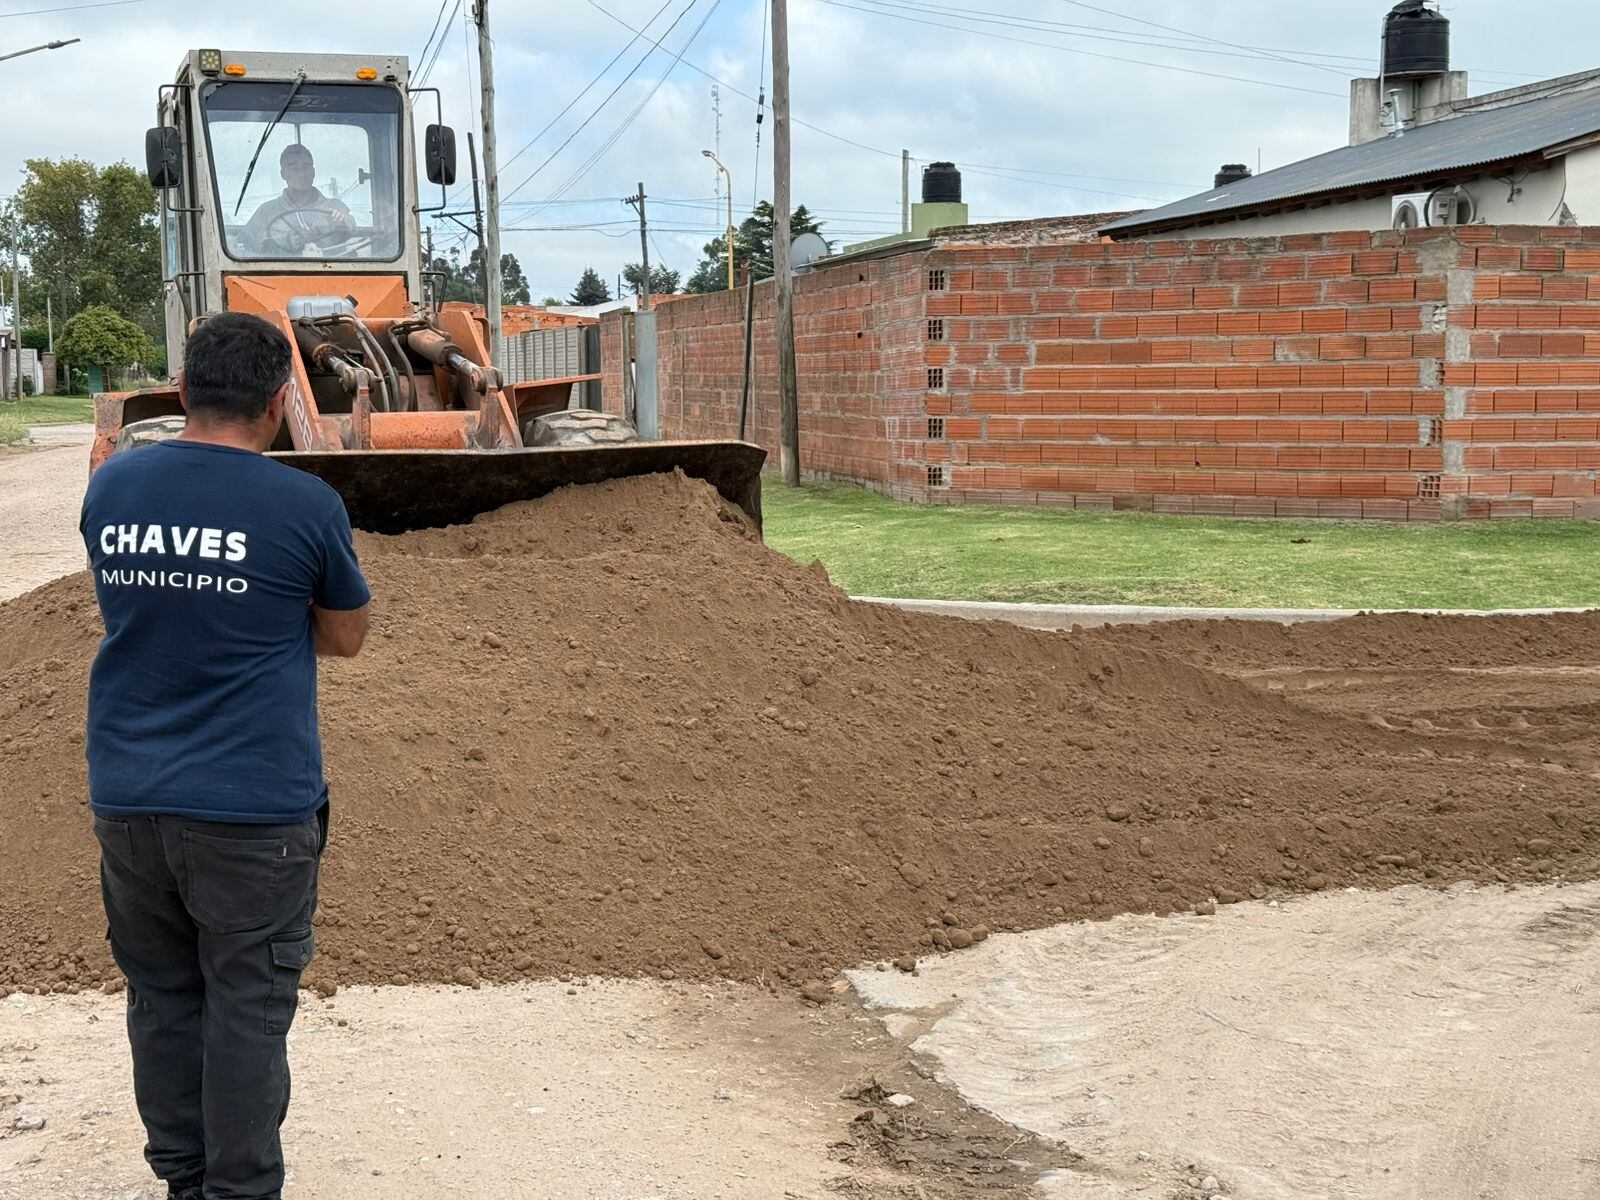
(289,190)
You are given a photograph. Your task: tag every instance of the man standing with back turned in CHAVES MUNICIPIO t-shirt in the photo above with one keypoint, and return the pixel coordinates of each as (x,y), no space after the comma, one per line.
(222,575)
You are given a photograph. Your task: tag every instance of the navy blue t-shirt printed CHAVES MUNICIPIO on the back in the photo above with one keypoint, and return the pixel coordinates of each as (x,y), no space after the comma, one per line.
(204,695)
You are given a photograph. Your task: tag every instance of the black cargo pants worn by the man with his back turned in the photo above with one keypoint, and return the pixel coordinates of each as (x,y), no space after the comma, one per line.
(212,924)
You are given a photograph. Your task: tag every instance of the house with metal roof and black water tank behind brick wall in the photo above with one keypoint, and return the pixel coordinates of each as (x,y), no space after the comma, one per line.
(1422,153)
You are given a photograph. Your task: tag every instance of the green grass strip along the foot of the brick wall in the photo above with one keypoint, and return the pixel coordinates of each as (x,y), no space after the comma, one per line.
(874,546)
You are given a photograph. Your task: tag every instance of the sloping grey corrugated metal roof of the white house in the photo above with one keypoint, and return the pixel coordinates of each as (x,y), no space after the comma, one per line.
(1457,143)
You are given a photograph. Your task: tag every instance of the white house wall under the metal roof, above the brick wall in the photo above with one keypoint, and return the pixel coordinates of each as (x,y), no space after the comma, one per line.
(1537,202)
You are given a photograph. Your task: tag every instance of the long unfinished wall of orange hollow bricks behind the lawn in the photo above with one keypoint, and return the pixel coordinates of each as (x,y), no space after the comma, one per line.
(1422,375)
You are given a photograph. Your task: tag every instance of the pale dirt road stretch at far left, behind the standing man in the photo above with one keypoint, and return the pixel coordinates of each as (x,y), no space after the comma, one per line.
(41,492)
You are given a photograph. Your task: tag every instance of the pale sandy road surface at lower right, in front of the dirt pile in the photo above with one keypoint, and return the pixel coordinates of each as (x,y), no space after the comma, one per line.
(1346,1047)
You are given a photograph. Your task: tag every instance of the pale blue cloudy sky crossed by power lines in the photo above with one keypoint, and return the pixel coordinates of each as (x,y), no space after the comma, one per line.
(1034,98)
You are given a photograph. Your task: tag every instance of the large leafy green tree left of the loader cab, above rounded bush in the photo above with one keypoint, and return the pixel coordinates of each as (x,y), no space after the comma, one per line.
(90,238)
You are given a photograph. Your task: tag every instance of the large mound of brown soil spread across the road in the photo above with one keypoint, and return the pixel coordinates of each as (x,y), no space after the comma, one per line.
(610,732)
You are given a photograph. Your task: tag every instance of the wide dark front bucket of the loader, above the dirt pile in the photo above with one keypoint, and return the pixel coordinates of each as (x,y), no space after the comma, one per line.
(398,490)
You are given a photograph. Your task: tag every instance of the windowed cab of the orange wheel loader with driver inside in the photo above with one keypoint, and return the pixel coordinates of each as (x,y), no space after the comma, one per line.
(289,177)
